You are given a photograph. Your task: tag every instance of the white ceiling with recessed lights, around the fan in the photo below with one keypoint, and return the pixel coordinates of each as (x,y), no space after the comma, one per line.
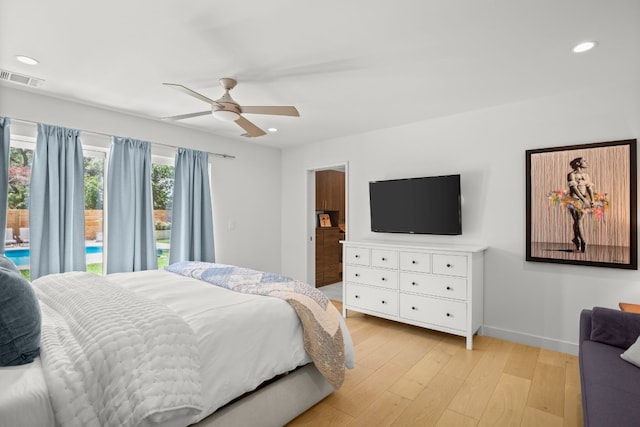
(349,66)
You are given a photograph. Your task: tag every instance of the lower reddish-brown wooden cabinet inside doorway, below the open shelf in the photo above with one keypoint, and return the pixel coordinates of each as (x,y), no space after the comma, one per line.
(328,255)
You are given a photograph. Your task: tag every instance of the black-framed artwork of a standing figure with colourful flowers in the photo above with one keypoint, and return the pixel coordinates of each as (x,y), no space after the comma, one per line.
(581,205)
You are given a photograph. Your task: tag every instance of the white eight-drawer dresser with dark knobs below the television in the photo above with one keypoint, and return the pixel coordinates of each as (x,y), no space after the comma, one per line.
(434,286)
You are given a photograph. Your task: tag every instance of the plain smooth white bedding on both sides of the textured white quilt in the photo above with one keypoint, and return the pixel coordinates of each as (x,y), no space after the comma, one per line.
(243,340)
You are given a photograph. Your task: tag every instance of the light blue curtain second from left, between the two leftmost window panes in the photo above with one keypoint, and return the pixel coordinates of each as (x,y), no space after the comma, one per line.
(56,202)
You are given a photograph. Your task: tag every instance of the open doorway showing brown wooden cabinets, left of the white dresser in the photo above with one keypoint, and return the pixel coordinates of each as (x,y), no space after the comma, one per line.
(327,224)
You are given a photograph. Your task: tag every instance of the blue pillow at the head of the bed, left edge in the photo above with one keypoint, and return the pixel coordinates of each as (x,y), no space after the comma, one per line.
(20,317)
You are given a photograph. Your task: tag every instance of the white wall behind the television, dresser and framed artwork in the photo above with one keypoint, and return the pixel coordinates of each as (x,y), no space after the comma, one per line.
(532,303)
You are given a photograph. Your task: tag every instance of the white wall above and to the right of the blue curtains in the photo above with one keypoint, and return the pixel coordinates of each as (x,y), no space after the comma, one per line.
(246,190)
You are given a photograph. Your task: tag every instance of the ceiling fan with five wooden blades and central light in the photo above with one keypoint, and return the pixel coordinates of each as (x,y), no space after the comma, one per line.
(228,110)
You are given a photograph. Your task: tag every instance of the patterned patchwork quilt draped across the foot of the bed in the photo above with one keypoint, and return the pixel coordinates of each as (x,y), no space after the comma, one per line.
(323,338)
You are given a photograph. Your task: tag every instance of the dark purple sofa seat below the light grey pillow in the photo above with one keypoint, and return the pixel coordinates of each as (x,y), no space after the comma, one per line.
(610,386)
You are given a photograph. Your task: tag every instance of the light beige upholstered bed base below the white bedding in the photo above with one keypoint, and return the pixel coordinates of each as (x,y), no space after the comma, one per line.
(275,404)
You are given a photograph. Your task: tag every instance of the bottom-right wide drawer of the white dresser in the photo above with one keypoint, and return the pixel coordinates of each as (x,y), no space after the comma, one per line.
(449,314)
